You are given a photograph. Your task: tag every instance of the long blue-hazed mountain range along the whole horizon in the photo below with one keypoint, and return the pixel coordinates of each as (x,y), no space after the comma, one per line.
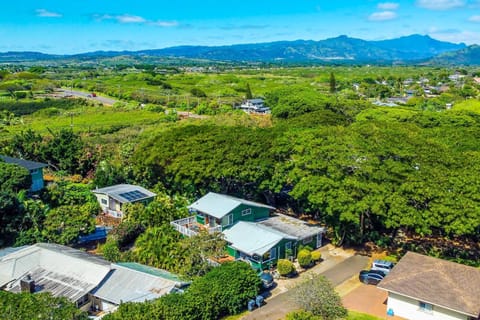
(342,49)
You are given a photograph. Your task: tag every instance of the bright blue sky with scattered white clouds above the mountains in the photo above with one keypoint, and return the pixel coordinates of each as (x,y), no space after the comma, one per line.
(62,26)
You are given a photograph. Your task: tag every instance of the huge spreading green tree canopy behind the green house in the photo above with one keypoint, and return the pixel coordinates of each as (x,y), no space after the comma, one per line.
(372,173)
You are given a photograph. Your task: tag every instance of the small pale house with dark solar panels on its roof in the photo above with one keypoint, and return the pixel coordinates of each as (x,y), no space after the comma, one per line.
(113,198)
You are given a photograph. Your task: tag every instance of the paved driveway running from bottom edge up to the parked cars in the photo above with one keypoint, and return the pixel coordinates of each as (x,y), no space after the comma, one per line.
(338,266)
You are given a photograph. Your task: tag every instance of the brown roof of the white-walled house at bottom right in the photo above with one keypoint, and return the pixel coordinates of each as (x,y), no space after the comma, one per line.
(438,282)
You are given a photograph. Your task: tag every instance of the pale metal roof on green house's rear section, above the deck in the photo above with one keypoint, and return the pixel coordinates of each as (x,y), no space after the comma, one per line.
(219,205)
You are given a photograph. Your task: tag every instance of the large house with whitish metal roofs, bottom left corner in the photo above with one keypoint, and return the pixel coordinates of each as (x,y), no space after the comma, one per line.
(89,281)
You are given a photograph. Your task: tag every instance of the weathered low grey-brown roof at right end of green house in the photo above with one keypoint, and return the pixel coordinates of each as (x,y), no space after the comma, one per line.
(296,228)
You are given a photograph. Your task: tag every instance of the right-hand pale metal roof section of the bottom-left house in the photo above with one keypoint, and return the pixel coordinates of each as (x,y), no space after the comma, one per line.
(127,285)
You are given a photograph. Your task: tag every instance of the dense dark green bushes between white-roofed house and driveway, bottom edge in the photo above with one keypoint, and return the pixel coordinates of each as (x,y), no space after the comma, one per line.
(221,292)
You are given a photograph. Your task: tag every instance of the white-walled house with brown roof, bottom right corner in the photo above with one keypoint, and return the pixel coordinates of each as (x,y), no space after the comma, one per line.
(422,287)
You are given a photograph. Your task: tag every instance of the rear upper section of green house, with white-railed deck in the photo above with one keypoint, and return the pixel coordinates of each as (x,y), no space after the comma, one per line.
(218,212)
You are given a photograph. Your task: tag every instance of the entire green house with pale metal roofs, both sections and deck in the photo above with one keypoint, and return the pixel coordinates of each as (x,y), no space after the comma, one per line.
(253,231)
